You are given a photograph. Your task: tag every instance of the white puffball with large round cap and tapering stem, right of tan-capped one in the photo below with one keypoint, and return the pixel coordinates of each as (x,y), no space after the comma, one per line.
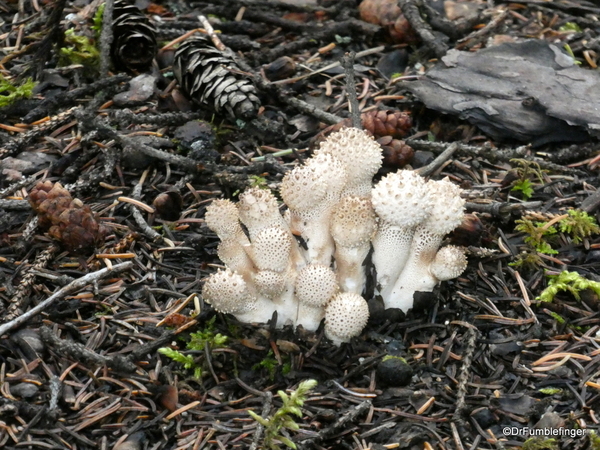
(402,201)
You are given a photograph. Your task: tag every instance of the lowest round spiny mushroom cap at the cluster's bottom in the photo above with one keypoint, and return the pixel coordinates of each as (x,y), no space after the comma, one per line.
(345,317)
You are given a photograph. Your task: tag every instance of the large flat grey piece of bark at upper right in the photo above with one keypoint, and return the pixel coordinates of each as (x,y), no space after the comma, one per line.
(530,91)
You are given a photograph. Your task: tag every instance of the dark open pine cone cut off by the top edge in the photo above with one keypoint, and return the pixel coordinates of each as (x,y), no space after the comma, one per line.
(134,38)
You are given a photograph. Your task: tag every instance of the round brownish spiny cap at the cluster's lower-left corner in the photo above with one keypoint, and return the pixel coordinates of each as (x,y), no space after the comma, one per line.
(228,293)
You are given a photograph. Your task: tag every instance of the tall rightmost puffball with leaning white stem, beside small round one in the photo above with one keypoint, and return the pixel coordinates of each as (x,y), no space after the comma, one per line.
(447,213)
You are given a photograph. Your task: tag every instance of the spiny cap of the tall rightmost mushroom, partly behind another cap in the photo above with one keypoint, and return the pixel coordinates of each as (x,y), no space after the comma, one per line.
(448,207)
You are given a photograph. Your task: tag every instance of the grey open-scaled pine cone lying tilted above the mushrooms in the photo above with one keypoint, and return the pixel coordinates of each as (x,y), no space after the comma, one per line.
(211,78)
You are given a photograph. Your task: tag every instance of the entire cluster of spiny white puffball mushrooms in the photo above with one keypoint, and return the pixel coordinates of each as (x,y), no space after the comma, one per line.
(333,205)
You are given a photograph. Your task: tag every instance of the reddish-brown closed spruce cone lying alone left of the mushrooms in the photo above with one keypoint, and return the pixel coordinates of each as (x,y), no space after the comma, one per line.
(68,220)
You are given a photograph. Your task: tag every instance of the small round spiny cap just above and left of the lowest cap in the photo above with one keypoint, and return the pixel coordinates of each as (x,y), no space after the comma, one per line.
(315,285)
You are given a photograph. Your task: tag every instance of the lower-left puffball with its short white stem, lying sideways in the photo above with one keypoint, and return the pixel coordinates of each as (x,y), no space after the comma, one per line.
(229,293)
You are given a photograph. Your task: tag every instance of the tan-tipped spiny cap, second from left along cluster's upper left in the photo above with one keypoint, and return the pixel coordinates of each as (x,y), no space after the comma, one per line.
(258,209)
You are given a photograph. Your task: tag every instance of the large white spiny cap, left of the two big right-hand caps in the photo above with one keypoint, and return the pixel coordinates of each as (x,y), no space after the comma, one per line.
(402,198)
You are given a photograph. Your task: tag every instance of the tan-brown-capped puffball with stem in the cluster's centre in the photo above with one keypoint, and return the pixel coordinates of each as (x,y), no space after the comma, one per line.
(353,224)
